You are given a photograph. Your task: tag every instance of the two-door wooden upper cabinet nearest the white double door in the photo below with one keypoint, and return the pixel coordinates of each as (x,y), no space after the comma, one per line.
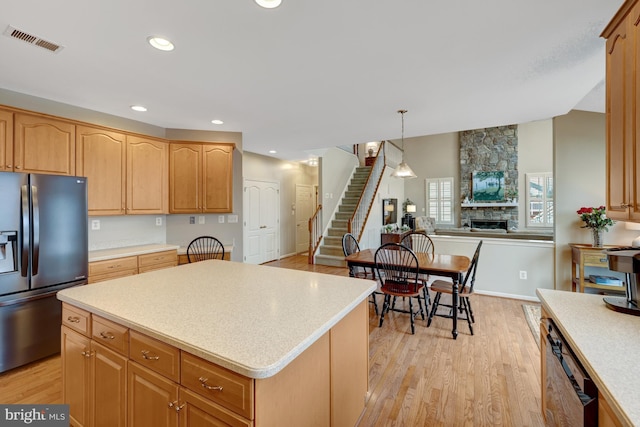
(201,178)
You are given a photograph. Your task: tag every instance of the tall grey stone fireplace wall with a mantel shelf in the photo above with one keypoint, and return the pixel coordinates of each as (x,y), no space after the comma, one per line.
(489,149)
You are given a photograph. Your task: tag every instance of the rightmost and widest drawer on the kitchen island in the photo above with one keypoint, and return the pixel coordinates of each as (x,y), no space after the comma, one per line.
(220,385)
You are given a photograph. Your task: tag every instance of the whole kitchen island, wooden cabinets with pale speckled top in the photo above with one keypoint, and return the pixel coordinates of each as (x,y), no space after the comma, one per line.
(263,346)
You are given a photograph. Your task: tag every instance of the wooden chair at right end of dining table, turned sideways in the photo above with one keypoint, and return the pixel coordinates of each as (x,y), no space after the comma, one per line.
(465,290)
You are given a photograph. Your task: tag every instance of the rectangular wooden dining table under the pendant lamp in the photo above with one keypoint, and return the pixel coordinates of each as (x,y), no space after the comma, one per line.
(453,266)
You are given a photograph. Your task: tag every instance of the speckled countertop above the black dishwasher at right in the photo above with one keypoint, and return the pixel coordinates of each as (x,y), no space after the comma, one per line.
(606,342)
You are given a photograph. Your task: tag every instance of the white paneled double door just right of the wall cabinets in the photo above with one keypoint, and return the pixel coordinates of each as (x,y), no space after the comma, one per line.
(261,221)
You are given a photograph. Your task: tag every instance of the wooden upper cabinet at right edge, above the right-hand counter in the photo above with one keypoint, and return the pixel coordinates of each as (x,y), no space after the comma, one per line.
(623,94)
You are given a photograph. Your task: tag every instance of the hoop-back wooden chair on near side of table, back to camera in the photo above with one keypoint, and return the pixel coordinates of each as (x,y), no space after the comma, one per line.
(397,268)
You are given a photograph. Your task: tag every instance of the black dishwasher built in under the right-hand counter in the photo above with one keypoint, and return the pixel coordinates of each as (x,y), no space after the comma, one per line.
(571,397)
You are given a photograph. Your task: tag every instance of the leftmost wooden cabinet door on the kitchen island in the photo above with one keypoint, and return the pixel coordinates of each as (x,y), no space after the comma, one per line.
(76,376)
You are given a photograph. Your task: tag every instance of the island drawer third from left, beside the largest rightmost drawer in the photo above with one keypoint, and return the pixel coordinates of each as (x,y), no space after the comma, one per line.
(155,355)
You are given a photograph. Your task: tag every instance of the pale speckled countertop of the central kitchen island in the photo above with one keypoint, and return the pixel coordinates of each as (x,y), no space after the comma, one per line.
(251,319)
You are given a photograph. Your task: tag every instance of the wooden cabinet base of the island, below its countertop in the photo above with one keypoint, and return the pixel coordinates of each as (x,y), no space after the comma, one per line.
(164,386)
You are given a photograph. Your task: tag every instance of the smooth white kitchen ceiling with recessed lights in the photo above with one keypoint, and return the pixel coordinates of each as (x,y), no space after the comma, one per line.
(314,74)
